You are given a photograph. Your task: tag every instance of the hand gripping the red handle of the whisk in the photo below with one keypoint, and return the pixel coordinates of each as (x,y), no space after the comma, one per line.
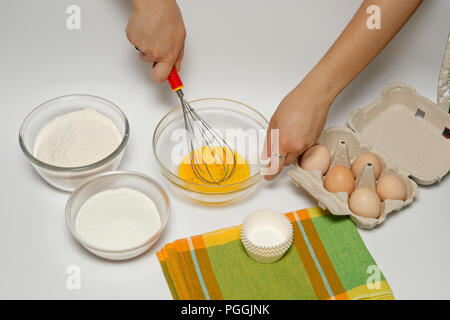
(156,28)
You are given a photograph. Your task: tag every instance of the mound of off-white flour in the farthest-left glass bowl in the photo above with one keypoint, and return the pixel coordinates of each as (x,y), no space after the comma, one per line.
(77,139)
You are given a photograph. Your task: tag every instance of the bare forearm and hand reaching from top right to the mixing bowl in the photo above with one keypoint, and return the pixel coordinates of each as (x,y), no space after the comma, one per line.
(301,115)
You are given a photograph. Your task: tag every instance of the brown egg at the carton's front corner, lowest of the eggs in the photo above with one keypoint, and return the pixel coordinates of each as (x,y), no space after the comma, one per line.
(365,202)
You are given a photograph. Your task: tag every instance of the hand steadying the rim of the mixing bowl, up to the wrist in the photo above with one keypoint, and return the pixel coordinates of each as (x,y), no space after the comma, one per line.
(300,118)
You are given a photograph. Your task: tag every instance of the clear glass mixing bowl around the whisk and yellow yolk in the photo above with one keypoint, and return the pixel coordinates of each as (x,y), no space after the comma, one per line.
(248,128)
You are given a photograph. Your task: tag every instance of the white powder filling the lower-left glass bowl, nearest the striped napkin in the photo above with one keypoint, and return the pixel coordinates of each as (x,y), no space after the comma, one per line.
(117,219)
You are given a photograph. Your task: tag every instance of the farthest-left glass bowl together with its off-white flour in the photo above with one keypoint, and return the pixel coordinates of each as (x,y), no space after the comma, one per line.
(71,138)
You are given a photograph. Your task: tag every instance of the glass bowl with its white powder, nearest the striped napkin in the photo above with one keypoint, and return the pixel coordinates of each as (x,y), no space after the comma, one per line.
(118,215)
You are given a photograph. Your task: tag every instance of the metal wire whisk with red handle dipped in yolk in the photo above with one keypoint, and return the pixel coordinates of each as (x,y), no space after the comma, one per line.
(206,147)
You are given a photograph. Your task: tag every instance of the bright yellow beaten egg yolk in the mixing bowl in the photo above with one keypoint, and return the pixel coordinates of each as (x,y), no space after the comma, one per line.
(211,164)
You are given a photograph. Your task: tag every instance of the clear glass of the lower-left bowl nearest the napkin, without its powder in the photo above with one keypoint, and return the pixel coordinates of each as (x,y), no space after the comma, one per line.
(115,180)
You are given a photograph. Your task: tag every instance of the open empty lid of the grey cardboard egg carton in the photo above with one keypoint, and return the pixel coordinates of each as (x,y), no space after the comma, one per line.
(408,129)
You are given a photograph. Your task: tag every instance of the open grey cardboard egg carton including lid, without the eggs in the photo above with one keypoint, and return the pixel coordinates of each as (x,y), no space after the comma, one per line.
(405,130)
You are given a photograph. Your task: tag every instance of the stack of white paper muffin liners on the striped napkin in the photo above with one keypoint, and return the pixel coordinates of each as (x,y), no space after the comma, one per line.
(266,218)
